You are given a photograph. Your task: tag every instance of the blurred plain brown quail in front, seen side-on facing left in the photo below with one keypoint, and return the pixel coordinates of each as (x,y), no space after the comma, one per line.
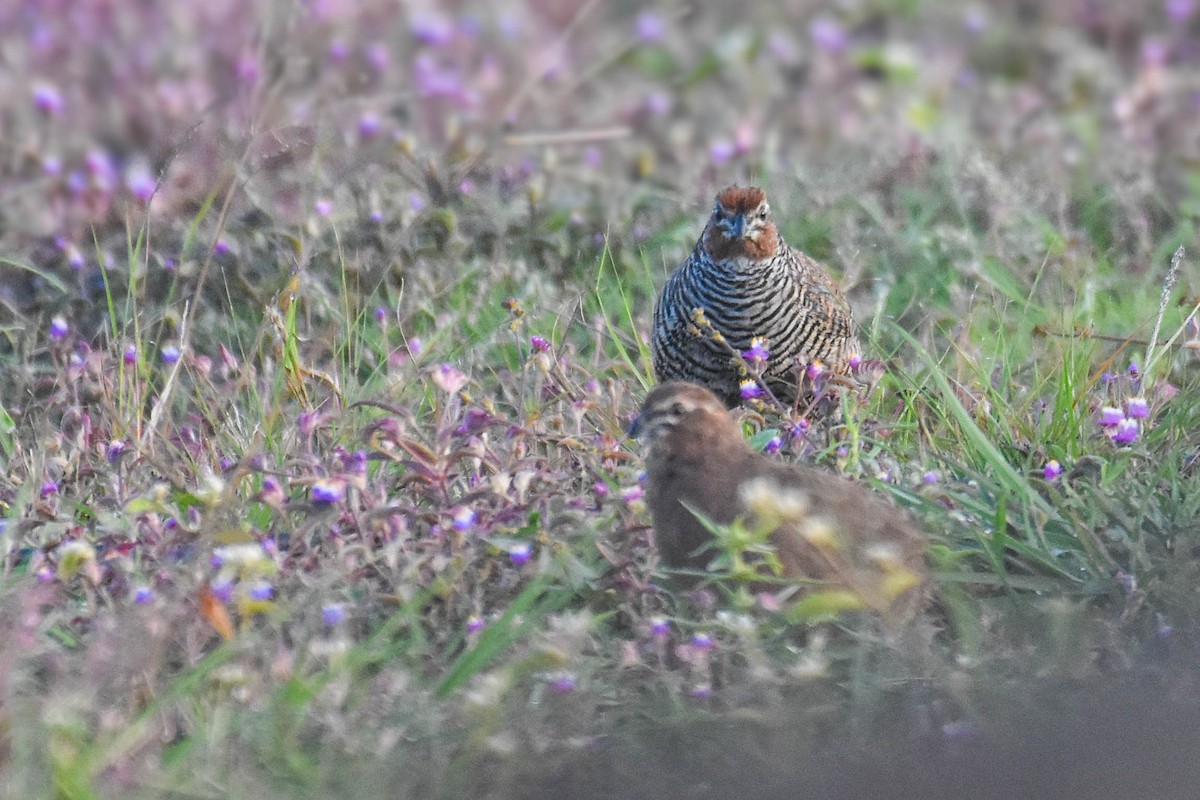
(825,528)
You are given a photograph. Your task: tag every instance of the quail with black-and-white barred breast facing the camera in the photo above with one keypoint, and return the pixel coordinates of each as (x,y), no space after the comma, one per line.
(741,284)
